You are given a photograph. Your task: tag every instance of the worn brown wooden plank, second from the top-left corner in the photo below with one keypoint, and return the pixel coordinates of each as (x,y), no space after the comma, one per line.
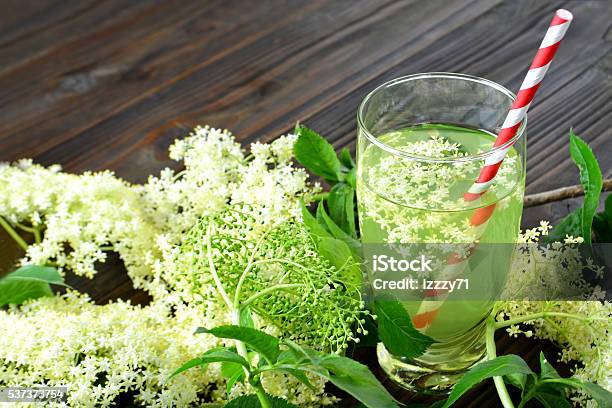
(131,60)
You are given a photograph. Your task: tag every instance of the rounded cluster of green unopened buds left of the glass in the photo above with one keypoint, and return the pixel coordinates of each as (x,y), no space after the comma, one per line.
(276,271)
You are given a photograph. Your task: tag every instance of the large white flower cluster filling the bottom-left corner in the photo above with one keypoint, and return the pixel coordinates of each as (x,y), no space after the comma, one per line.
(103,352)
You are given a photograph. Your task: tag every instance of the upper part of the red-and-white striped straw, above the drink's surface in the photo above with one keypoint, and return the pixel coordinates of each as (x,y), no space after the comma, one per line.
(557,29)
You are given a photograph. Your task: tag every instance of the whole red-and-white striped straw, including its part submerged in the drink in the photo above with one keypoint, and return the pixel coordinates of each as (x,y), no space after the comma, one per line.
(428,309)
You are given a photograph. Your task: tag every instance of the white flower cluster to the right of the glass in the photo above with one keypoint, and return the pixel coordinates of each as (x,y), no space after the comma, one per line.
(580,328)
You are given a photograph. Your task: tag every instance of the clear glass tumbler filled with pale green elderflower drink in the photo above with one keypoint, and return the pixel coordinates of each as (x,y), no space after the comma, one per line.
(422,140)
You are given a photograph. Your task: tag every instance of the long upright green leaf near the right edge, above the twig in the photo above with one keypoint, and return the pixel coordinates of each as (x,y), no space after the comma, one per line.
(591,180)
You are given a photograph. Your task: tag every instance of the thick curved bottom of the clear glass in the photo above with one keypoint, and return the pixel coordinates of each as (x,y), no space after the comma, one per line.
(439,369)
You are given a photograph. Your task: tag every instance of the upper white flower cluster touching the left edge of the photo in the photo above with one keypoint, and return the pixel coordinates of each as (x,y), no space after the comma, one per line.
(81,217)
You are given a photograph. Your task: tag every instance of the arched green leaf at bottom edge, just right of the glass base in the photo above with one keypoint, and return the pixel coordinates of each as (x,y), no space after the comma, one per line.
(499,366)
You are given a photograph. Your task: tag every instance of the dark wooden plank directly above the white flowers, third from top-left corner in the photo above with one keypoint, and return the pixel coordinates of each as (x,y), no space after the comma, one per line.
(258,86)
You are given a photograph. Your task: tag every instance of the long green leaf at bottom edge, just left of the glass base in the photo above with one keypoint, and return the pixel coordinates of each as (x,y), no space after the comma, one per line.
(356,379)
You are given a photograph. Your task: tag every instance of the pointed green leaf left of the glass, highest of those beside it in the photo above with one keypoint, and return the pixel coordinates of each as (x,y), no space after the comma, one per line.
(317,154)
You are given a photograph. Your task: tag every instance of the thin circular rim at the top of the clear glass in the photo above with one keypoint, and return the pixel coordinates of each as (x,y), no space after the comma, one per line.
(429,75)
